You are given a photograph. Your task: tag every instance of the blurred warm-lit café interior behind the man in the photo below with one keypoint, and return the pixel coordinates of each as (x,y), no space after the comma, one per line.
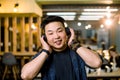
(96,24)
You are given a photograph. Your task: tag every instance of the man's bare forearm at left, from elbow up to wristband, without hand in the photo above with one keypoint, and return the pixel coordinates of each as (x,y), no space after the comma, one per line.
(31,69)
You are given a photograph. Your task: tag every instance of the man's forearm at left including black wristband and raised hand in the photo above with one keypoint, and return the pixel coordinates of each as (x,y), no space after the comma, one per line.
(31,69)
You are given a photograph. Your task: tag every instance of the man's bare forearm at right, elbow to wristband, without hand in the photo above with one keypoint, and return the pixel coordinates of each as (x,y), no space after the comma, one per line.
(90,57)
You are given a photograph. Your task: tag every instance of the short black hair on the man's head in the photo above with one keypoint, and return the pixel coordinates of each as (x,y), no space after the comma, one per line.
(49,19)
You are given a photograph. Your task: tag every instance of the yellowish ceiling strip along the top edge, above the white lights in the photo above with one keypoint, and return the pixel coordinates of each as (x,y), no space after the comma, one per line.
(48,2)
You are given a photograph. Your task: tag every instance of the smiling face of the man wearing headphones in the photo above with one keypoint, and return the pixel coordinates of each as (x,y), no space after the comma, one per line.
(56,35)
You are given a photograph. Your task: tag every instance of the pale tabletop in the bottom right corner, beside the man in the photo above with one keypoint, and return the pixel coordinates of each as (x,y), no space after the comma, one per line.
(101,74)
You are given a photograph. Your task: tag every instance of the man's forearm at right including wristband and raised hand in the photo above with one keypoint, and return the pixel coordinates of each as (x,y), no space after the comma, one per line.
(91,58)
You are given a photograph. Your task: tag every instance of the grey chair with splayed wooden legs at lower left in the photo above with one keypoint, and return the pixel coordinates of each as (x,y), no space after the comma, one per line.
(10,62)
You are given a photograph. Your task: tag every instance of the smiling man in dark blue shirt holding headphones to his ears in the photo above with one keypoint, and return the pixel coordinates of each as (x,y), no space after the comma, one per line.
(61,57)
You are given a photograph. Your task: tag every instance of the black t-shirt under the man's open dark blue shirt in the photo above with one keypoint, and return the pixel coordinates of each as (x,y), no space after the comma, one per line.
(63,65)
